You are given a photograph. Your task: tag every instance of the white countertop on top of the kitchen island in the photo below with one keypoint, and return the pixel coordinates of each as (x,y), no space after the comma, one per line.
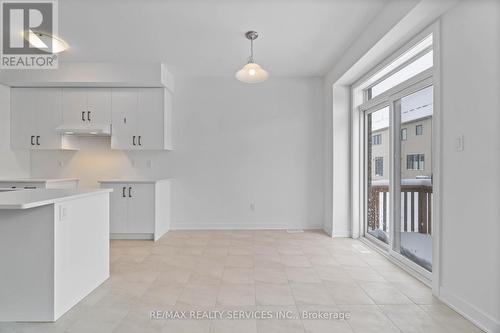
(24,199)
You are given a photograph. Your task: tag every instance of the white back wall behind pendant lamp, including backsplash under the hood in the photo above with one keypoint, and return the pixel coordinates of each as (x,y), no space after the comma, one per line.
(234,144)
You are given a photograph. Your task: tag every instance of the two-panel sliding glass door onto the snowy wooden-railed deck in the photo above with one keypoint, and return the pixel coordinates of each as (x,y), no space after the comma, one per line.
(398,174)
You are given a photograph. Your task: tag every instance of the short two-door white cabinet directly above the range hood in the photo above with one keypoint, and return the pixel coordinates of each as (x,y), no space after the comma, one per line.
(86,106)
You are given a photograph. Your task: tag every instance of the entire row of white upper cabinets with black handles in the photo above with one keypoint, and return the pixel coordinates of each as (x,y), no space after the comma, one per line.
(140,118)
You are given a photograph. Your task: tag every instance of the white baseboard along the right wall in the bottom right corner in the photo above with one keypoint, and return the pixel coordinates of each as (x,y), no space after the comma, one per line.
(469,311)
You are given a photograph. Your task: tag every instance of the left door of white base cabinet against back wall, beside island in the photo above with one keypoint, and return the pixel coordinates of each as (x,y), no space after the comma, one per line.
(118,208)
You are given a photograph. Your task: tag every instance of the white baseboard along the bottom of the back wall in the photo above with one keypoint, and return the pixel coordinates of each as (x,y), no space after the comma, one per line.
(242,226)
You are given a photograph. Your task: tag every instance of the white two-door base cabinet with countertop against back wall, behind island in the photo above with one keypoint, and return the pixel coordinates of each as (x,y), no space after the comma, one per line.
(140,209)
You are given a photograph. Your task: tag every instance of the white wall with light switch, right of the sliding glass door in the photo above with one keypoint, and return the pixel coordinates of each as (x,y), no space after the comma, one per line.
(470,255)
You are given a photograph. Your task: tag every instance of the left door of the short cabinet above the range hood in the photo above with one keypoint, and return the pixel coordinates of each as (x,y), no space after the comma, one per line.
(74,104)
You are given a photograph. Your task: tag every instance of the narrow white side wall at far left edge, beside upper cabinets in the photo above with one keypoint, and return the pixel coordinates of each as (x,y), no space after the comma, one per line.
(12,163)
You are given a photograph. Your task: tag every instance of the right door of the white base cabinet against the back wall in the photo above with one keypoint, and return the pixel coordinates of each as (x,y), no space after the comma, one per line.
(141,208)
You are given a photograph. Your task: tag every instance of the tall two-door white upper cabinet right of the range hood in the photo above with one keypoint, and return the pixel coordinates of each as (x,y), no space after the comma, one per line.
(141,118)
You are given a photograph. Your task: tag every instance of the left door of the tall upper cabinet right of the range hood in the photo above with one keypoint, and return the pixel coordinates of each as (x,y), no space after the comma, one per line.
(124,111)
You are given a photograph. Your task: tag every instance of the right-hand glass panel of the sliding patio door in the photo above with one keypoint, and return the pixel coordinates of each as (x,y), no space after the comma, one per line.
(413,119)
